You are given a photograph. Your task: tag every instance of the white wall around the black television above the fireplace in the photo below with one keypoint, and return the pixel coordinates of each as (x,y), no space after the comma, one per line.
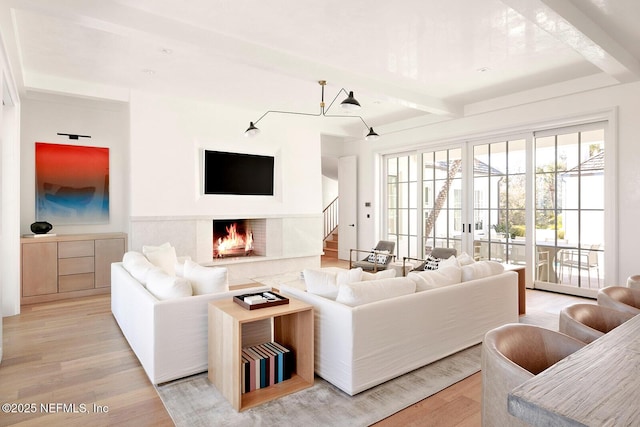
(167,139)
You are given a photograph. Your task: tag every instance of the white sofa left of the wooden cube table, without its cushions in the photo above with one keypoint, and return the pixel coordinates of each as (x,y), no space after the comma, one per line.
(168,336)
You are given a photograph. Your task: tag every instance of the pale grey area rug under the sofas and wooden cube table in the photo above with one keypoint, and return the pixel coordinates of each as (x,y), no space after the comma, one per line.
(194,401)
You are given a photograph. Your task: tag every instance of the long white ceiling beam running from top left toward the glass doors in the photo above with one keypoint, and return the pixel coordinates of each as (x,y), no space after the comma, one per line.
(123,20)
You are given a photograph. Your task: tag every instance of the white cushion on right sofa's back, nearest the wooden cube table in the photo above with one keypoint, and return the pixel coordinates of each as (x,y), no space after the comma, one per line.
(358,293)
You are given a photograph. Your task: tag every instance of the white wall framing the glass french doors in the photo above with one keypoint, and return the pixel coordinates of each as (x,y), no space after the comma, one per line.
(624,98)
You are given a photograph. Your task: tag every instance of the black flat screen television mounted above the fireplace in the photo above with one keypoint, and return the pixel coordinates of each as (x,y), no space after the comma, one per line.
(237,173)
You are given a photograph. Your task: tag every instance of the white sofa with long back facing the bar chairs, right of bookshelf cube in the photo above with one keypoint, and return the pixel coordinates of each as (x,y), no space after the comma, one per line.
(360,346)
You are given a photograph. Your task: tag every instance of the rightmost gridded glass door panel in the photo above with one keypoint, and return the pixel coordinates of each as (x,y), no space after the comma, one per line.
(570,208)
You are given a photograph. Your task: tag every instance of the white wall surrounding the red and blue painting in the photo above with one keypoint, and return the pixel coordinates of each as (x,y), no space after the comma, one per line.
(43,116)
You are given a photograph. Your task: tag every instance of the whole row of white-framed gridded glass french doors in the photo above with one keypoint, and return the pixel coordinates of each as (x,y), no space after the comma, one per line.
(535,199)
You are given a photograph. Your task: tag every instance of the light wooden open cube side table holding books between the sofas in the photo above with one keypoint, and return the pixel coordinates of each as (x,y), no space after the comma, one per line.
(232,327)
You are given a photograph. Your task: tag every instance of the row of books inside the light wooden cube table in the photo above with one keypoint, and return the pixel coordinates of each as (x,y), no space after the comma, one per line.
(264,365)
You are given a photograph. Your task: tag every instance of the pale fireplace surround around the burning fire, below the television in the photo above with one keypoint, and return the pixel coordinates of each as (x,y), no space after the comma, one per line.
(293,243)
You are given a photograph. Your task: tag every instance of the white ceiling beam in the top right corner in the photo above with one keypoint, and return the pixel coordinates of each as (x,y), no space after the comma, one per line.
(567,23)
